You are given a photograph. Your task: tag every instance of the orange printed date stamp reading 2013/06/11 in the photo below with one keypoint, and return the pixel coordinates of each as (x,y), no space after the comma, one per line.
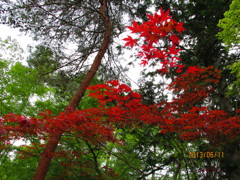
(205,154)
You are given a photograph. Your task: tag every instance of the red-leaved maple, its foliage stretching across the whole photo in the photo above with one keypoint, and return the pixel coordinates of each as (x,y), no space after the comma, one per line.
(120,107)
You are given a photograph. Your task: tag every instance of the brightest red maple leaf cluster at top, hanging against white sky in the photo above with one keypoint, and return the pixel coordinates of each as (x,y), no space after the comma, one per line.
(159,28)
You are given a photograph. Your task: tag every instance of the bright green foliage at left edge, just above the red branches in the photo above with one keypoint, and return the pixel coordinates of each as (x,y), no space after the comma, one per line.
(19,85)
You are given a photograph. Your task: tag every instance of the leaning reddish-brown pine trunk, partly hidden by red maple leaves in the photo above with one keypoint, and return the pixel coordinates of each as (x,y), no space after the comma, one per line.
(53,141)
